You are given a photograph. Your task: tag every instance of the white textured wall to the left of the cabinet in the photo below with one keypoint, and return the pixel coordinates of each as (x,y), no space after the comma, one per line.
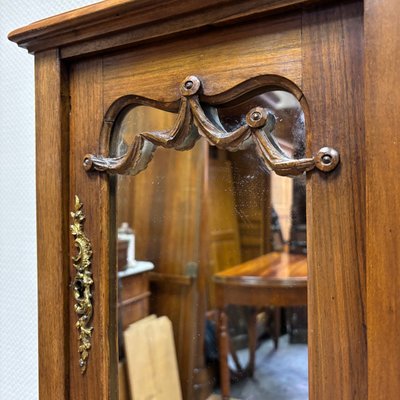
(18,285)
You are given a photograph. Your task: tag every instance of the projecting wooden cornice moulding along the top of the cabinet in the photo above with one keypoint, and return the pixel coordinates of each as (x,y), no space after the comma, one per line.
(115,23)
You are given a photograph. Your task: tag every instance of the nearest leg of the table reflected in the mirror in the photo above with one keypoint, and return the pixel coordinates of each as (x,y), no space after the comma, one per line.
(223,354)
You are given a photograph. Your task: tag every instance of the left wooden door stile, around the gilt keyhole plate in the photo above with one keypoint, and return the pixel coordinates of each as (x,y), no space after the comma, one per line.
(99,381)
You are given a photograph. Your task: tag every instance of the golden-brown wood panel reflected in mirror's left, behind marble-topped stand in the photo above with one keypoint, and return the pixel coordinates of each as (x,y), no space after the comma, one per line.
(162,204)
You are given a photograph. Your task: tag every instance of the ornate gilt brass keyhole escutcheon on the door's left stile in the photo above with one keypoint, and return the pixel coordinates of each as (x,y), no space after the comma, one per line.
(82,283)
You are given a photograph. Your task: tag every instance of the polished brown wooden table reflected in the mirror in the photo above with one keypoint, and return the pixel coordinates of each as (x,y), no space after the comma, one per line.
(274,279)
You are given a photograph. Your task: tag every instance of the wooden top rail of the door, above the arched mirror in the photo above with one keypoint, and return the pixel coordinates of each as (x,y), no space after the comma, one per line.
(269,46)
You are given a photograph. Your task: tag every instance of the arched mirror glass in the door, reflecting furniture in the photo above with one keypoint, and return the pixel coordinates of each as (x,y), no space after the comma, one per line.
(197,218)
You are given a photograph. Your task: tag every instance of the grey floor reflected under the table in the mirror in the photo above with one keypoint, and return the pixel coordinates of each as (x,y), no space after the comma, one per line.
(279,375)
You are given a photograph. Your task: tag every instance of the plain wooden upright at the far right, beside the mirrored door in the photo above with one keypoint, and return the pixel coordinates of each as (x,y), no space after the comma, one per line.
(382,98)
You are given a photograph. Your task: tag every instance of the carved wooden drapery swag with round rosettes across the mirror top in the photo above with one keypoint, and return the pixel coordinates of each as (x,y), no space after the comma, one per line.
(258,128)
